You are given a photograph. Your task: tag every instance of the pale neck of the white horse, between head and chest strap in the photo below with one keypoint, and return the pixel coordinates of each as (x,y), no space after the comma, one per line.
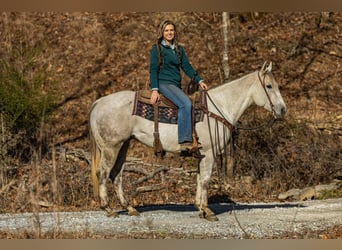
(233,98)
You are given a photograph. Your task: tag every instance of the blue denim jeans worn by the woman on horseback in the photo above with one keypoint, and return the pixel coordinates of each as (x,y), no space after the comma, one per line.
(182,101)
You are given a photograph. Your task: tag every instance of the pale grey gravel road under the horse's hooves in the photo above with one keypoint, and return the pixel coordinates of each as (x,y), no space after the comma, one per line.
(254,220)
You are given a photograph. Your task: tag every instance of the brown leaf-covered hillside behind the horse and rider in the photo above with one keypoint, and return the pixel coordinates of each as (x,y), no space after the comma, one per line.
(90,55)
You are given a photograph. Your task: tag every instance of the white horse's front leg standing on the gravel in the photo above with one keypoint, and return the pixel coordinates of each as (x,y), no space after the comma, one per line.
(203,179)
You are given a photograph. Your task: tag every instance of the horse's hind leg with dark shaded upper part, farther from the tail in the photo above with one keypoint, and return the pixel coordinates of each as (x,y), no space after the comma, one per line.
(116,177)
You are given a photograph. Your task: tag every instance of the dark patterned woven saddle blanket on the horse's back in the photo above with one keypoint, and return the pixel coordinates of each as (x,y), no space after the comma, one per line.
(167,114)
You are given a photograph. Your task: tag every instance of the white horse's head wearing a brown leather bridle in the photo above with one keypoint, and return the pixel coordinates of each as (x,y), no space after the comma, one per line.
(269,97)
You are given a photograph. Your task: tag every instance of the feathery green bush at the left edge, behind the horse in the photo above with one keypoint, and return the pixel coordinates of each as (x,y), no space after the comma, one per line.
(26,99)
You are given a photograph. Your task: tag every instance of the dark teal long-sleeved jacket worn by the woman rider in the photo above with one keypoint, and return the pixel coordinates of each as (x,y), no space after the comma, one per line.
(169,70)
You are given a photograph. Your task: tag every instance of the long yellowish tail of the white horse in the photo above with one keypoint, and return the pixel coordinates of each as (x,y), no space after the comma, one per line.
(95,159)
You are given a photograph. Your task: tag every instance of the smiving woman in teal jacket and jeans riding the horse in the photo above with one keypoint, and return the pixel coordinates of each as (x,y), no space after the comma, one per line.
(166,60)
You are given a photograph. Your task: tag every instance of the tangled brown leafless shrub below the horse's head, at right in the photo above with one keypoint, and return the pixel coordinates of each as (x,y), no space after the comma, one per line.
(289,154)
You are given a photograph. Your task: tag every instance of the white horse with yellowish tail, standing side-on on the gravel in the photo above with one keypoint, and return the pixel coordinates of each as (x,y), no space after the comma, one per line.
(112,125)
